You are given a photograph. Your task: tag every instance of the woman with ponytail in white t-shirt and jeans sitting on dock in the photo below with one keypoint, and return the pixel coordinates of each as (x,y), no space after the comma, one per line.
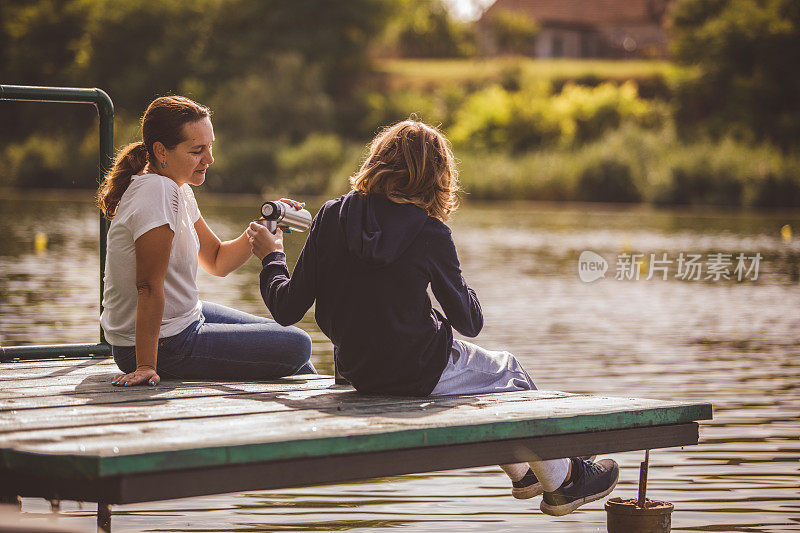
(153,317)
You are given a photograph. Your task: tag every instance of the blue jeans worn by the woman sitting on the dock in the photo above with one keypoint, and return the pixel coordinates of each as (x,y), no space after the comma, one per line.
(226,344)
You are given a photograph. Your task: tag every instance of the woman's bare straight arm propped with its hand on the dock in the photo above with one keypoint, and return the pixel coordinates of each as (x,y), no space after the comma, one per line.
(152,258)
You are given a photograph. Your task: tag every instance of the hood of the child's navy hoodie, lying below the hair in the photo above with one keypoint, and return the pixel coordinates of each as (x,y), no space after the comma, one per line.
(378,230)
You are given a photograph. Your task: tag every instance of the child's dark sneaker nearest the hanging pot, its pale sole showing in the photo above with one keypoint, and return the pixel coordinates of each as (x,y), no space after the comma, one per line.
(589,482)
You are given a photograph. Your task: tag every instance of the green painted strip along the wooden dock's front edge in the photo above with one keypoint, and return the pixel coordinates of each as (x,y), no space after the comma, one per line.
(97,467)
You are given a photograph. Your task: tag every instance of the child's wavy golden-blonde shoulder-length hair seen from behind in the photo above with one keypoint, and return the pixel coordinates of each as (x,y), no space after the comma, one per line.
(411,163)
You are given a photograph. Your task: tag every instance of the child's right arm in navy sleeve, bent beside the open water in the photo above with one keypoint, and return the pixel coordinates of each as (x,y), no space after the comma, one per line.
(459,302)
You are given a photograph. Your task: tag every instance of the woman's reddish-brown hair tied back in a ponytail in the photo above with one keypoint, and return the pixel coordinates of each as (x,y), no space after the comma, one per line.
(163,122)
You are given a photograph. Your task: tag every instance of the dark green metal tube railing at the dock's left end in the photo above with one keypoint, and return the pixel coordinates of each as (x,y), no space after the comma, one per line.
(105,110)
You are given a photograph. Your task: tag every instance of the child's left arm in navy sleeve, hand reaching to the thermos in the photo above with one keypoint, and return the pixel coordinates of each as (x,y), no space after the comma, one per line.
(287,297)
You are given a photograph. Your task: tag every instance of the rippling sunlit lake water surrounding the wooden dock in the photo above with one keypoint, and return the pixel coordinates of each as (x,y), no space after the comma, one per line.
(735,344)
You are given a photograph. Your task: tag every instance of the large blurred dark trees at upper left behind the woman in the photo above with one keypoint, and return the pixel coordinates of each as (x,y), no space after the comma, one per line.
(275,71)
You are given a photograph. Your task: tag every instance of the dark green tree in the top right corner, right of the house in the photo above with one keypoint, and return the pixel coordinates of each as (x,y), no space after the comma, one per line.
(745,55)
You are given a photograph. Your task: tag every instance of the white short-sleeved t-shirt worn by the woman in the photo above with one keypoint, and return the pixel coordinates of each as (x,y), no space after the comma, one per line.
(151,201)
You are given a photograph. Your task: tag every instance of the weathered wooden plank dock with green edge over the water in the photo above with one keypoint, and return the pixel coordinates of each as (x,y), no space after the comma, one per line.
(67,433)
